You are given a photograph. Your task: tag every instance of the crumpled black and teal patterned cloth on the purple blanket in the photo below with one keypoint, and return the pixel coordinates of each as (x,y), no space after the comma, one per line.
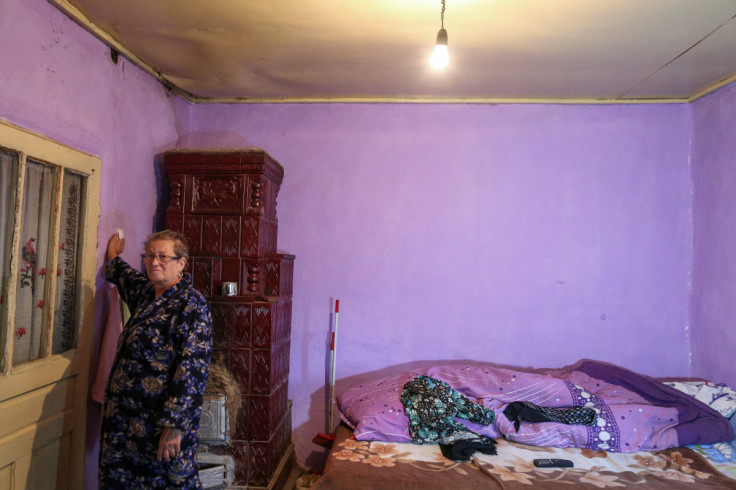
(431,406)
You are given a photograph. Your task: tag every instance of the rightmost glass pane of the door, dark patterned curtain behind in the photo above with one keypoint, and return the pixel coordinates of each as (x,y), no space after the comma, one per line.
(65,316)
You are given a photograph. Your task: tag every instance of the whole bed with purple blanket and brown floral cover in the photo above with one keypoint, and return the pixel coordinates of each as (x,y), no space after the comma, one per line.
(647,433)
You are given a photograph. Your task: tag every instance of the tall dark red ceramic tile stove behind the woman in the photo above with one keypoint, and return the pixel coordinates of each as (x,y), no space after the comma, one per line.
(224,202)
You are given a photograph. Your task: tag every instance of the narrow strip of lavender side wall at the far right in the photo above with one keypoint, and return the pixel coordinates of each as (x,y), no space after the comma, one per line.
(714,205)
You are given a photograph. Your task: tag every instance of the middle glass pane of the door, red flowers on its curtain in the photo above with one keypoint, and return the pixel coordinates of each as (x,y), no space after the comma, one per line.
(38,202)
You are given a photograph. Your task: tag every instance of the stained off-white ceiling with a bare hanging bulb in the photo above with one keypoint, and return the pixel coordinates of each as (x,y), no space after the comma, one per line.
(378,50)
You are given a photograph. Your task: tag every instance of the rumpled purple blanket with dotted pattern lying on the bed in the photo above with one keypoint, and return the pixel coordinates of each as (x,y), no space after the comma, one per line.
(635,412)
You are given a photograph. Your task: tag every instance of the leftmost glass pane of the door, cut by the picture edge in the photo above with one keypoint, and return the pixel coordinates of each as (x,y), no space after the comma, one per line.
(8,178)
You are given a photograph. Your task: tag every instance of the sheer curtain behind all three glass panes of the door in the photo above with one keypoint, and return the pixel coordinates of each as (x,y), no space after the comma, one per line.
(39,196)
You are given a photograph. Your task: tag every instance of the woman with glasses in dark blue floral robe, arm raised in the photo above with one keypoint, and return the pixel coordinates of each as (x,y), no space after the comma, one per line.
(153,400)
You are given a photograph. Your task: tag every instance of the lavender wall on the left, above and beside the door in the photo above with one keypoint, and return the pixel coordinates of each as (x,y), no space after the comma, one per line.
(58,80)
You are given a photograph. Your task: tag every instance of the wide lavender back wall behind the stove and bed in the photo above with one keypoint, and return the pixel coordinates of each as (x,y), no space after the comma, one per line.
(532,235)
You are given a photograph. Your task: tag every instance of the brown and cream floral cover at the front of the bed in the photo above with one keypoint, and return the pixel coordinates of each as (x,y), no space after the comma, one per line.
(368,465)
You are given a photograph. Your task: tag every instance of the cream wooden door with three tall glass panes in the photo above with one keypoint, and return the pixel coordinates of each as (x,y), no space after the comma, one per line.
(48,238)
